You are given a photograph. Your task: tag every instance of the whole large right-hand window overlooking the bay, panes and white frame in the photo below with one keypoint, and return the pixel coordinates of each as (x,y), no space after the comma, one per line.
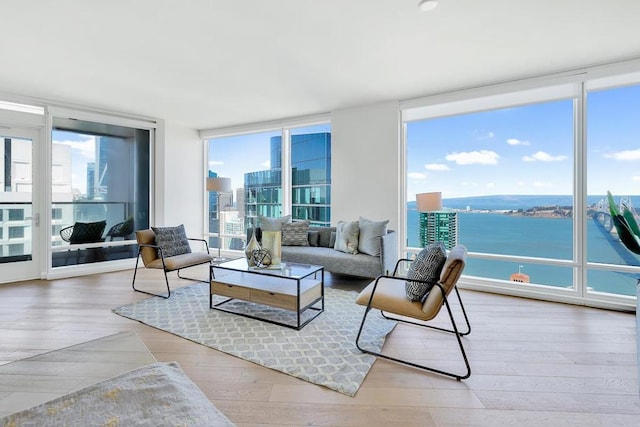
(526,175)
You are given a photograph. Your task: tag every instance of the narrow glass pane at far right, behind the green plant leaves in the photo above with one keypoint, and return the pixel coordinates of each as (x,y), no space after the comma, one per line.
(613,165)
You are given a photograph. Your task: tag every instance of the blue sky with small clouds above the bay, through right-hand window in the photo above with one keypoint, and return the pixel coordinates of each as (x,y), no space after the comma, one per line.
(527,150)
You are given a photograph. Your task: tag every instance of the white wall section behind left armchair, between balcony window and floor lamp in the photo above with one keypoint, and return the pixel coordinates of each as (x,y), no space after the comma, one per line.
(179,192)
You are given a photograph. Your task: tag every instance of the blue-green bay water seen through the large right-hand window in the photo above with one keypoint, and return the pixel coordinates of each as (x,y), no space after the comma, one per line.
(497,233)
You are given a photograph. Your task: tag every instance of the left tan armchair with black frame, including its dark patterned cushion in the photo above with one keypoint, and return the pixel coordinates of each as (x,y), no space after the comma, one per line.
(168,249)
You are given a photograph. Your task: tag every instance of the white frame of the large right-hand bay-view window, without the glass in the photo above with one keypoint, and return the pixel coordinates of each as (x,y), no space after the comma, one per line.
(526,92)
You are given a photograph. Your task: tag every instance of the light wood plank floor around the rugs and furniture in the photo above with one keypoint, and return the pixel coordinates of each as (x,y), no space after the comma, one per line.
(533,363)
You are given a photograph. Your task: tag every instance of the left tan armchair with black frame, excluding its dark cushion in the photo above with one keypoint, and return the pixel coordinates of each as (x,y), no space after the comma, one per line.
(153,256)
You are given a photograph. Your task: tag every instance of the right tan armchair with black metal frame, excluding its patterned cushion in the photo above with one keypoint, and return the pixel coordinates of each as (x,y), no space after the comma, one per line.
(391,295)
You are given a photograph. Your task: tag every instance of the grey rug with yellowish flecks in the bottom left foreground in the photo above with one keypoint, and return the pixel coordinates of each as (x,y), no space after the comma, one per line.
(154,395)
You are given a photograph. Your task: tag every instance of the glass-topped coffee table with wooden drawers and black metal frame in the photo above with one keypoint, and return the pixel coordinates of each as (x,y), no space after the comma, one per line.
(292,287)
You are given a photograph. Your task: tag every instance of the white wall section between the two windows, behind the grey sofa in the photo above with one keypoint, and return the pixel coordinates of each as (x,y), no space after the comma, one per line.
(365,159)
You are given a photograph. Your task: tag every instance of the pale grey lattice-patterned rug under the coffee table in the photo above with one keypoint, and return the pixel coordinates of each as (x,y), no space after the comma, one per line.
(323,352)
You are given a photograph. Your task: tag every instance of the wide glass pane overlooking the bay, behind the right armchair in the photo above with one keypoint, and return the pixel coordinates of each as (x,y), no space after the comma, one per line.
(507,174)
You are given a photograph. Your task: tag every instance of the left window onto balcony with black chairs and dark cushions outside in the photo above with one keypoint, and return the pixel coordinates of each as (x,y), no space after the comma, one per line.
(100,190)
